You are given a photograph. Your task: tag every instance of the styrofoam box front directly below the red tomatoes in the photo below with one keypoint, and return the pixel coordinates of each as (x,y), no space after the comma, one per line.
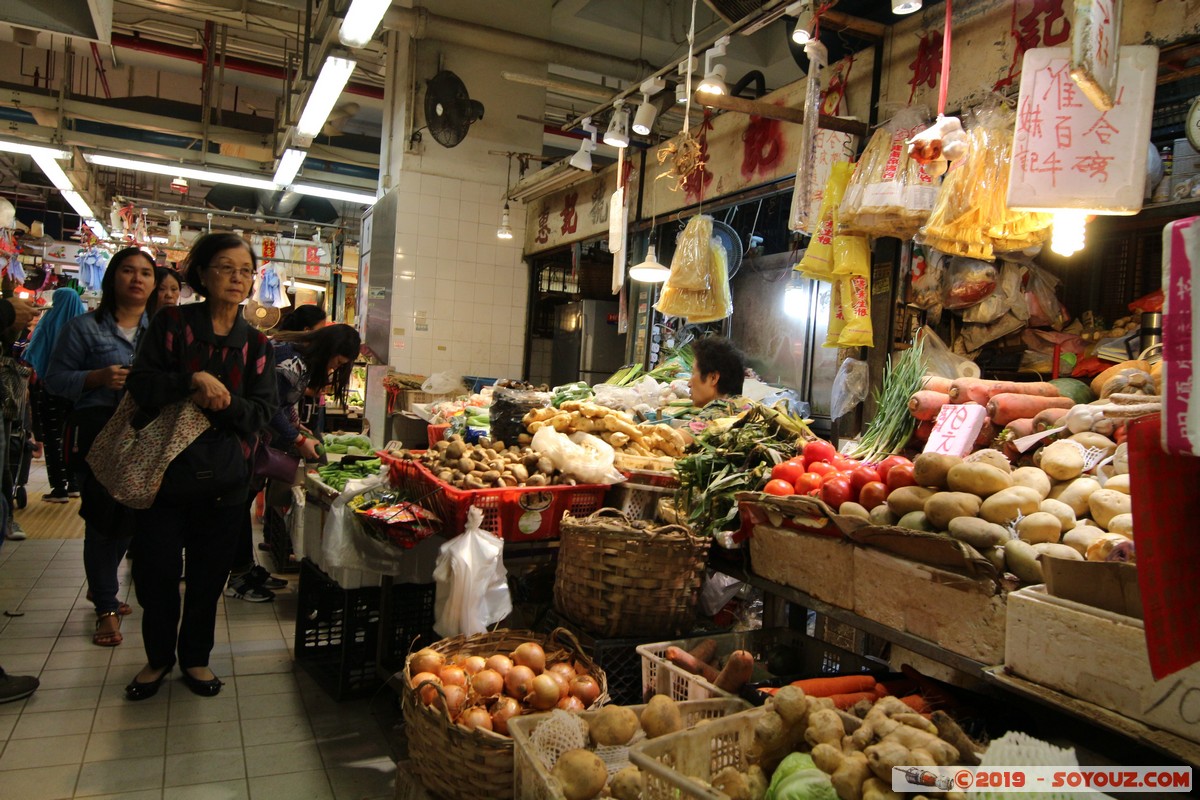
(823,567)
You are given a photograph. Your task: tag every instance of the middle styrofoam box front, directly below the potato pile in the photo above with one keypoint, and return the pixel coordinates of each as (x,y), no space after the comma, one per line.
(959,613)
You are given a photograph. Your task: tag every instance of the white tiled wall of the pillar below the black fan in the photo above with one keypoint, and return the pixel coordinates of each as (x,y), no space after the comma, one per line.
(465,287)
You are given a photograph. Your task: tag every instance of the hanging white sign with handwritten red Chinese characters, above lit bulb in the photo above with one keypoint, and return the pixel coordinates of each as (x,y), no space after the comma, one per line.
(1067,154)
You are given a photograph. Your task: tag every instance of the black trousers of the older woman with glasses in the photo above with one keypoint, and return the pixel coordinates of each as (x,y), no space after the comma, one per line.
(209,534)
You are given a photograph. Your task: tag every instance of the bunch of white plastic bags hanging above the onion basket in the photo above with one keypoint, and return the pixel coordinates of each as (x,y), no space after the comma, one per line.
(473,586)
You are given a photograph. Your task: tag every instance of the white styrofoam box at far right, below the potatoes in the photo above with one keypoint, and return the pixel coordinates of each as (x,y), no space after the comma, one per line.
(1097,657)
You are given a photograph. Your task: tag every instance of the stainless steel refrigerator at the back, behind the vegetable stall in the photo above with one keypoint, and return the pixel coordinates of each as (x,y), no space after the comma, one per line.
(587,346)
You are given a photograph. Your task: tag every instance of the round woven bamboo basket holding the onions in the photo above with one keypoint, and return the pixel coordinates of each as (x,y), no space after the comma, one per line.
(454,763)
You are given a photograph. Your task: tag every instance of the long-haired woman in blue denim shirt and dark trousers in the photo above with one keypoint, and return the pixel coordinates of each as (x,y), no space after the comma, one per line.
(89,368)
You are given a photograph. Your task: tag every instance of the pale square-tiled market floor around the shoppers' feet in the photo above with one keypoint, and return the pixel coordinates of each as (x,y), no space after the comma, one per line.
(271,735)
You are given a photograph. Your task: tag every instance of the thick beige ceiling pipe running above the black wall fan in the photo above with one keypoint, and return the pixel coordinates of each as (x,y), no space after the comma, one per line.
(419,23)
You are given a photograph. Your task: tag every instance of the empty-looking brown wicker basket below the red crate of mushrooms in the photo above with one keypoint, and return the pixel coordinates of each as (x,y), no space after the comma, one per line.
(623,579)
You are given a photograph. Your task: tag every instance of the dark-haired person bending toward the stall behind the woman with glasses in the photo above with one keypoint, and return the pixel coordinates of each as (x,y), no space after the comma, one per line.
(304,363)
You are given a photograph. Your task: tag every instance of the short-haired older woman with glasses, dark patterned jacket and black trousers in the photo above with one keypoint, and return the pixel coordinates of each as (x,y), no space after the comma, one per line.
(209,354)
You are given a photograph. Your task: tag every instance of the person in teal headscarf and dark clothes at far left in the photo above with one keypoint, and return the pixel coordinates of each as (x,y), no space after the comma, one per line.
(51,411)
